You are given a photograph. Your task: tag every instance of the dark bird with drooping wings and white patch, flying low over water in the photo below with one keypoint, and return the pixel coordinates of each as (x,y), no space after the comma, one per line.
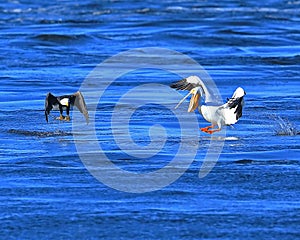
(65,102)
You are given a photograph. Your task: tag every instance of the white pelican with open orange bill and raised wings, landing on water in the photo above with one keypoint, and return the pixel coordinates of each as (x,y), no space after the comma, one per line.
(218,115)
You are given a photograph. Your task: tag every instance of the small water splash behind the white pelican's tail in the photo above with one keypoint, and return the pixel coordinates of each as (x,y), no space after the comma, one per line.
(284,127)
